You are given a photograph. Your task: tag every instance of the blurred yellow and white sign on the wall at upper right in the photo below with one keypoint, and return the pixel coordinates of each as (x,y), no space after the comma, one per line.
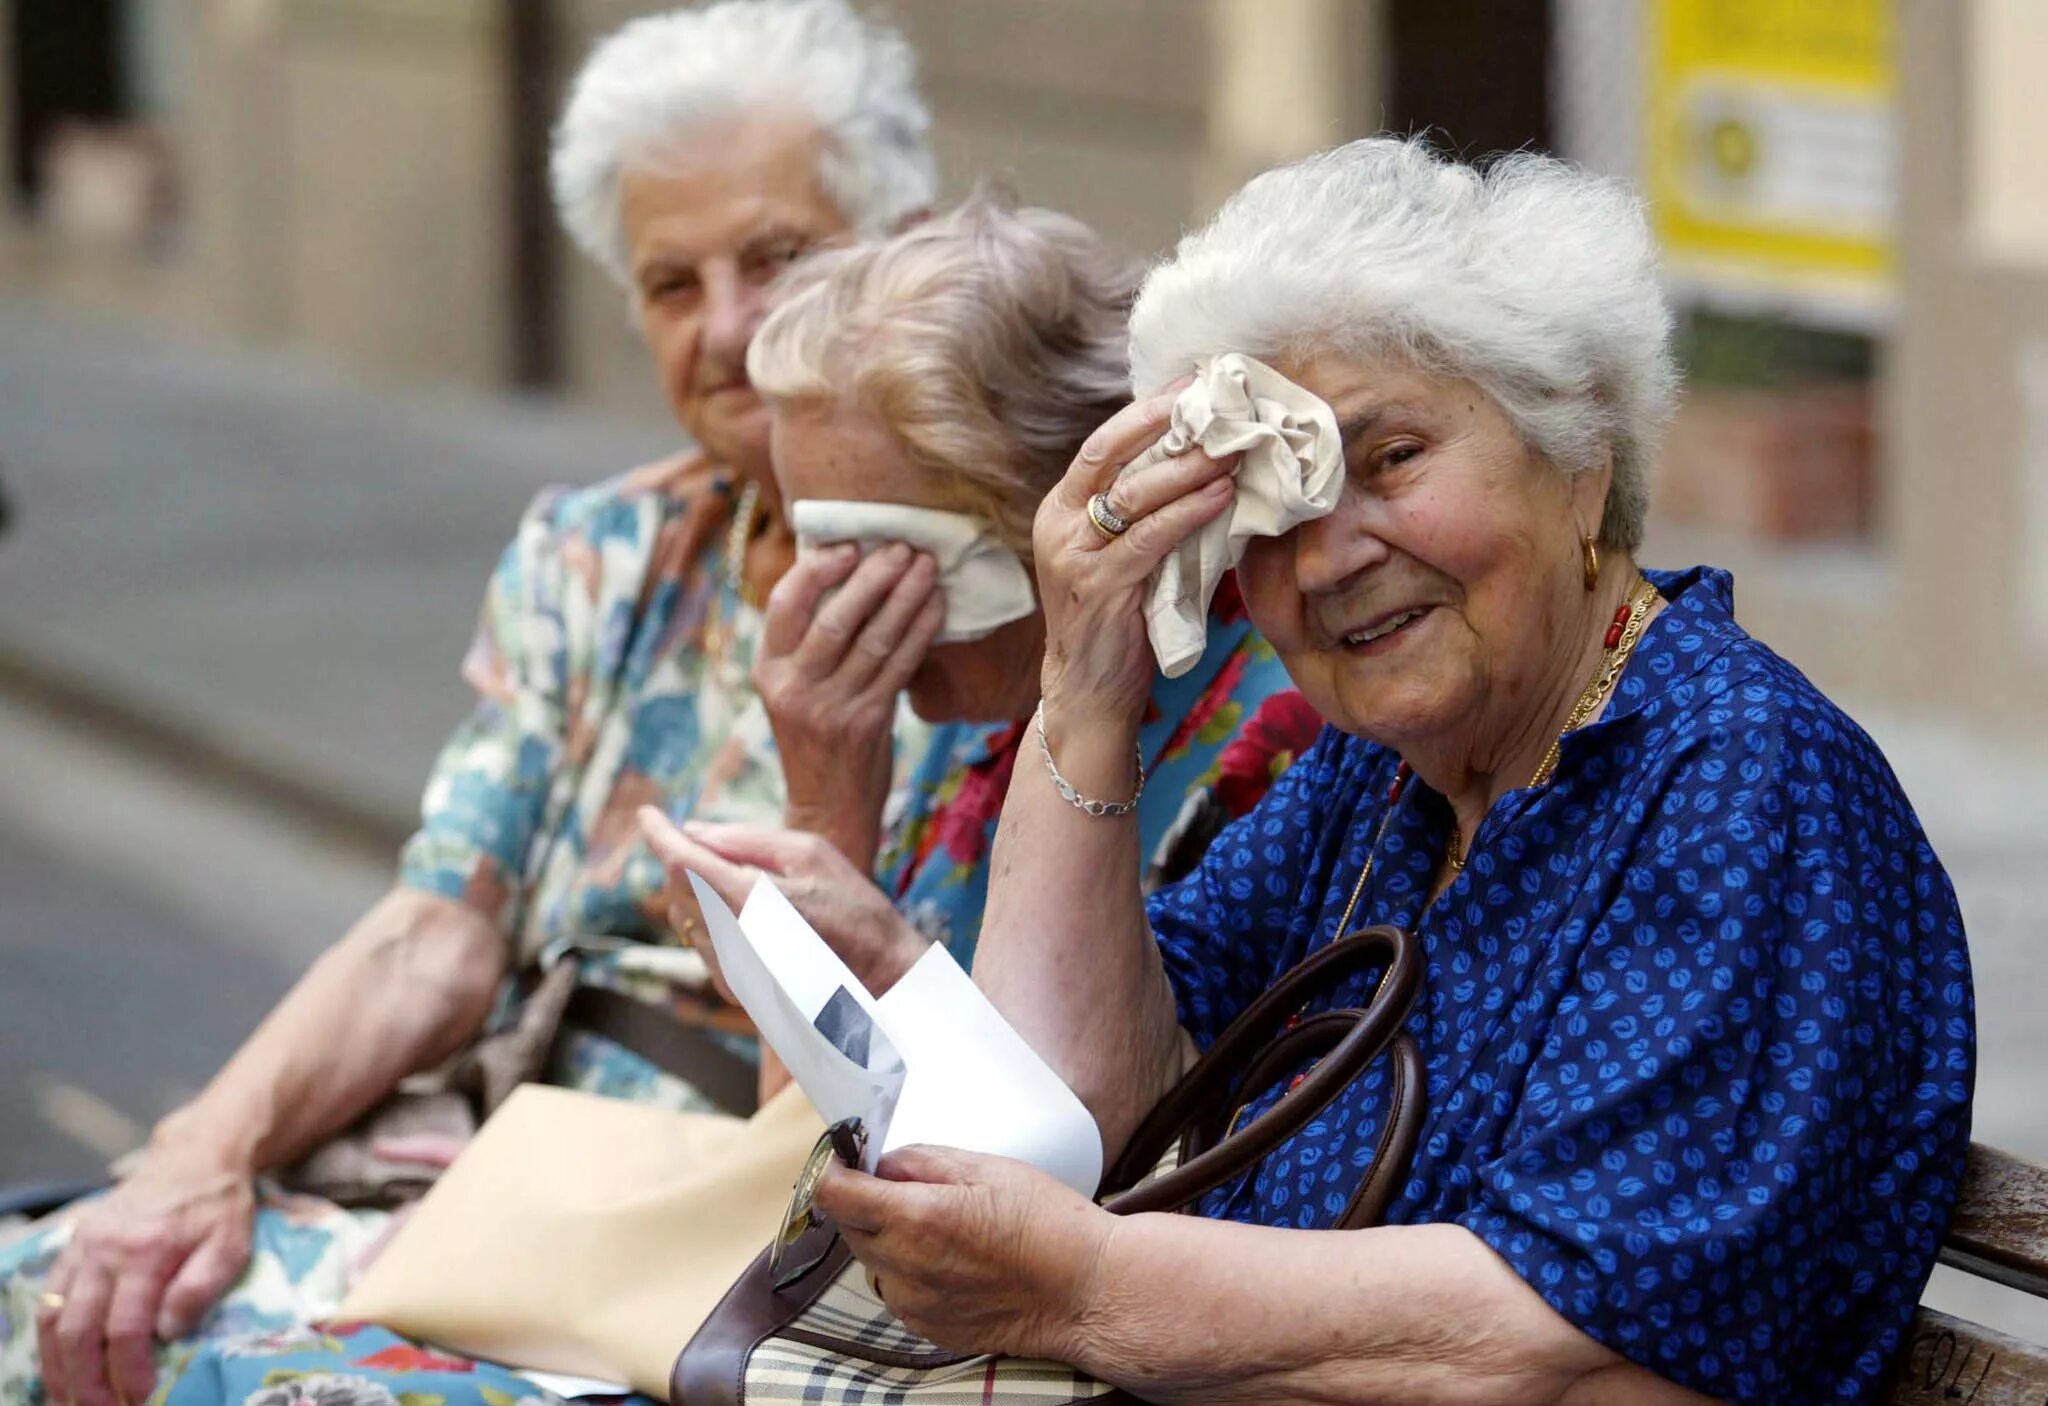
(1775,152)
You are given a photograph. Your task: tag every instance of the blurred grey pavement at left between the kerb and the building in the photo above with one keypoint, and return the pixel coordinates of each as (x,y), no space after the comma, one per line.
(261,554)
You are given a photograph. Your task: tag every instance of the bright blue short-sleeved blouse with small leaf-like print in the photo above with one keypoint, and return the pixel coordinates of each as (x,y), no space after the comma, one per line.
(1697,1014)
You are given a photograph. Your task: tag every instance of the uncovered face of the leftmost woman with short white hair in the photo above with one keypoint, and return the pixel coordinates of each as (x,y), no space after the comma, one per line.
(710,226)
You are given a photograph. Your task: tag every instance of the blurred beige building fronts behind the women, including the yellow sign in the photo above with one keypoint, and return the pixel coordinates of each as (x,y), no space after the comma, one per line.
(1850,195)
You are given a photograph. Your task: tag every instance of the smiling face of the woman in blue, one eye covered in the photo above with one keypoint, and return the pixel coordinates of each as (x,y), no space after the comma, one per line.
(1443,601)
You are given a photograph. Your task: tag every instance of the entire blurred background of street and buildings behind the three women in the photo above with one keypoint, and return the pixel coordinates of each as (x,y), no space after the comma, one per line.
(288,337)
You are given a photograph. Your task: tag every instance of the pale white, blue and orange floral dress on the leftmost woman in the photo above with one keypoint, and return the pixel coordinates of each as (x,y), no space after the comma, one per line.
(611,670)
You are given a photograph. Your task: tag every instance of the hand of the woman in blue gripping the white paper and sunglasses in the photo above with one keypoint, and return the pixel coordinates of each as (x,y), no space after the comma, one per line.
(976,1254)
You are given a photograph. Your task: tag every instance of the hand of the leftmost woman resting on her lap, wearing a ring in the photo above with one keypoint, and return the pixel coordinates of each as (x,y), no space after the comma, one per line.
(144,1264)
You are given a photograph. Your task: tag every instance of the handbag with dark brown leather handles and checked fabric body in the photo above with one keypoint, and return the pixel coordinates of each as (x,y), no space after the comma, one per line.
(828,1339)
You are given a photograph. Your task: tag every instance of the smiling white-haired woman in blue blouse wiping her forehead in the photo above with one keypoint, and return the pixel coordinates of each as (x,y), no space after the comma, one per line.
(1697,1004)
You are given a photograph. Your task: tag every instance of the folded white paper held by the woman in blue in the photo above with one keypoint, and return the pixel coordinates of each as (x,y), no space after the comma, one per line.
(943,1067)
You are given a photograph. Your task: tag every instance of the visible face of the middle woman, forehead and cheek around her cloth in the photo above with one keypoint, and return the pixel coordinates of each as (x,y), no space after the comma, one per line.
(845,453)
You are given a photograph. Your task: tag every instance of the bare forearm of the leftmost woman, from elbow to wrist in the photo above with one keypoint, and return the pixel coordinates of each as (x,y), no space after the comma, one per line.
(409,983)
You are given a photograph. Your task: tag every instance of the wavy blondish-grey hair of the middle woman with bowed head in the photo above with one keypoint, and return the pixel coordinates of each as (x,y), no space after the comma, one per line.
(990,343)
